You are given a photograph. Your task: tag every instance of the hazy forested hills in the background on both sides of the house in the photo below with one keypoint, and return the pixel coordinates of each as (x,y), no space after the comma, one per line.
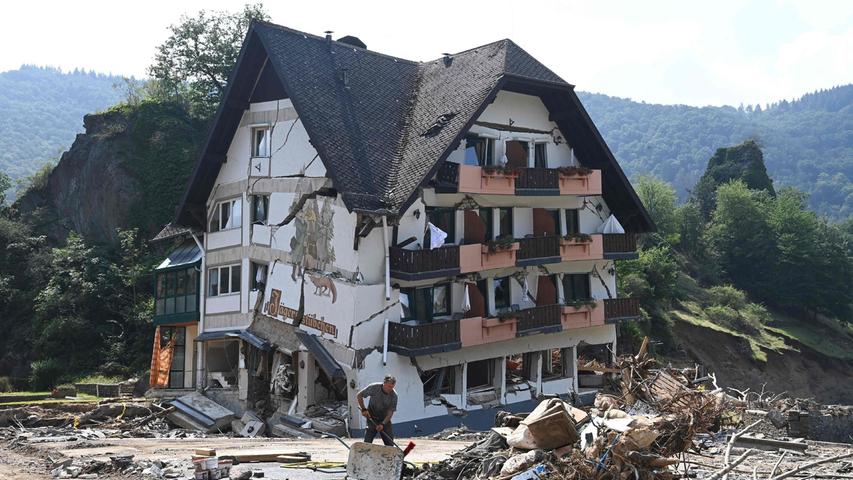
(807,143)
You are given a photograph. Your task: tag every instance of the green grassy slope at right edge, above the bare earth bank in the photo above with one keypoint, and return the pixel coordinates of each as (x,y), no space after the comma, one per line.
(825,336)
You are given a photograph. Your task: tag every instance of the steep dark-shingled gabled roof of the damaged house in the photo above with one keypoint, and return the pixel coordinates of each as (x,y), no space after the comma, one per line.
(380,124)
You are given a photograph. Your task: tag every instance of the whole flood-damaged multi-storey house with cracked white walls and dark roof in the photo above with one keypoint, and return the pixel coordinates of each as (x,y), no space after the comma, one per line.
(454,223)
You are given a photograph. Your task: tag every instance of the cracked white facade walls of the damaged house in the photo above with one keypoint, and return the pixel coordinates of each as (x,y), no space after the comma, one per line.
(311,261)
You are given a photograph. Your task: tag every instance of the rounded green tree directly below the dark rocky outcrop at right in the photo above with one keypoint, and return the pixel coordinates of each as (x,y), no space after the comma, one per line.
(743,240)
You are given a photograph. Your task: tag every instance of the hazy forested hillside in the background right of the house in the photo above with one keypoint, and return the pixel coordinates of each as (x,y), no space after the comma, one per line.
(808,143)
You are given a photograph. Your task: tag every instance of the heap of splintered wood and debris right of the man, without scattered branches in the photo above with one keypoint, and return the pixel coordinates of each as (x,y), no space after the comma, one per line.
(636,432)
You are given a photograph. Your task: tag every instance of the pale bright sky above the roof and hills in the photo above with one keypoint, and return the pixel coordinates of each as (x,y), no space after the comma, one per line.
(696,53)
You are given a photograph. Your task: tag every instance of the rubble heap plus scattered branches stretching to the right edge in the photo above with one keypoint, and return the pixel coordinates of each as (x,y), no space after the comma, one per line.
(648,428)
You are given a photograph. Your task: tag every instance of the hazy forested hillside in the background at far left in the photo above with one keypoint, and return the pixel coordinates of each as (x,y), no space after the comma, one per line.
(42,108)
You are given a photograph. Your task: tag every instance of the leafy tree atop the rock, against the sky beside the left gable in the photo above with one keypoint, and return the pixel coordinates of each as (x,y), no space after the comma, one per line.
(194,63)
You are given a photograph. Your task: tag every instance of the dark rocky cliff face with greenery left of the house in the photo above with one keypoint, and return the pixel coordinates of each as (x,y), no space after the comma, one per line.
(127,171)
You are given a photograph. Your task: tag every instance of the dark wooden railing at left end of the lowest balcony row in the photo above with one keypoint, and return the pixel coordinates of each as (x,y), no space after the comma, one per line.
(420,339)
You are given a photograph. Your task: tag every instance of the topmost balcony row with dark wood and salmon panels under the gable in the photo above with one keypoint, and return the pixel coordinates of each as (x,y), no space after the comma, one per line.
(453,177)
